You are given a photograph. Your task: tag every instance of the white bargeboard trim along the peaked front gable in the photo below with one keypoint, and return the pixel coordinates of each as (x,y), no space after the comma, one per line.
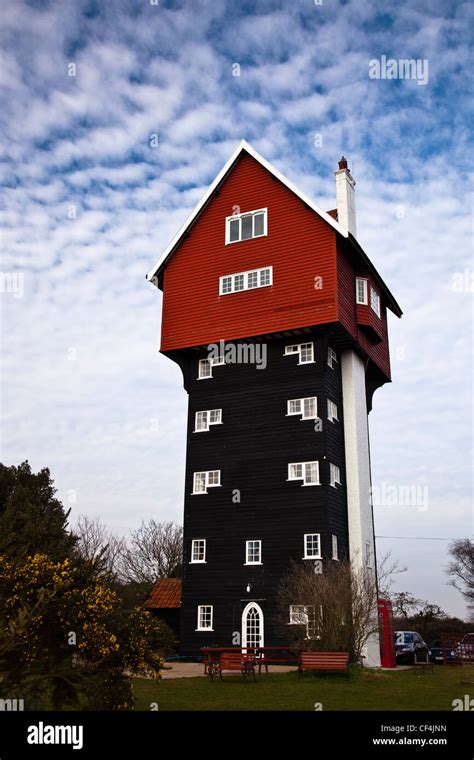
(242,146)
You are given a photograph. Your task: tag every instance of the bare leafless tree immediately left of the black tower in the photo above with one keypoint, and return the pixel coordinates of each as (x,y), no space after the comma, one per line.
(154,550)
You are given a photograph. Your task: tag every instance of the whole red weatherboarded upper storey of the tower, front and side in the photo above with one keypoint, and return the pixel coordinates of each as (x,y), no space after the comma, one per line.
(314,269)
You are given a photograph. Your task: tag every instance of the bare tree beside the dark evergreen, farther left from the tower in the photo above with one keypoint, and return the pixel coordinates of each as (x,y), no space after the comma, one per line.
(98,546)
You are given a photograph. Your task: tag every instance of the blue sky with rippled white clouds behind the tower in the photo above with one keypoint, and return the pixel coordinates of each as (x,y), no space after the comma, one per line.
(89,204)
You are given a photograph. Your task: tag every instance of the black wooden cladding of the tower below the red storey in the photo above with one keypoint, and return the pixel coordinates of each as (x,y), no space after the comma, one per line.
(252,449)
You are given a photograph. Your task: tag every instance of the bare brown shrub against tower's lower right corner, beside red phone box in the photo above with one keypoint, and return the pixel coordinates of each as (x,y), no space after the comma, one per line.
(329,611)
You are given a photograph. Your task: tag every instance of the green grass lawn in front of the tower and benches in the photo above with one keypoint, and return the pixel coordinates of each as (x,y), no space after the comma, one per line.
(365,690)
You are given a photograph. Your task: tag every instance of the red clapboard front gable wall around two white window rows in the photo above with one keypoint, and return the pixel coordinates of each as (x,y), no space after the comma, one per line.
(300,247)
